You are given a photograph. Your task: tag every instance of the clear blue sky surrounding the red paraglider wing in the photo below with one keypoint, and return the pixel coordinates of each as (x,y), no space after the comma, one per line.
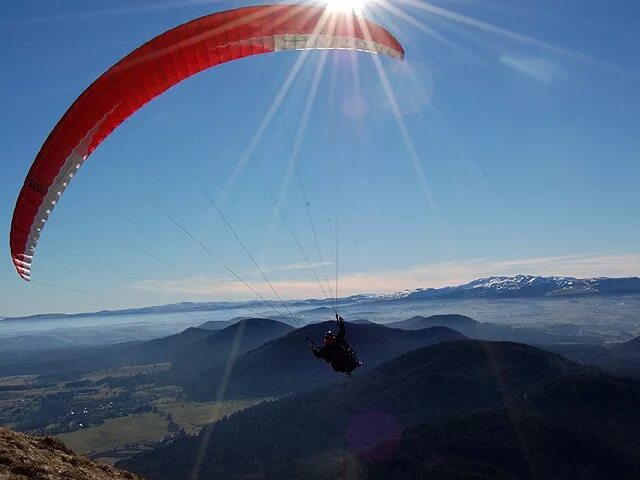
(514,148)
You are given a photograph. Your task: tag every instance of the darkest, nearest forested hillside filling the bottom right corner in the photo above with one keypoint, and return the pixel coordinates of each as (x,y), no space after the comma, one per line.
(570,427)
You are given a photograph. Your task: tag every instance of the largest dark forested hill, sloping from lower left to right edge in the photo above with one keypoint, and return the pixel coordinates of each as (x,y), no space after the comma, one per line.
(467,390)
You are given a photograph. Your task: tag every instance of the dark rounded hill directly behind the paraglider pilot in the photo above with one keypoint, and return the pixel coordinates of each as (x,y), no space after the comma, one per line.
(286,365)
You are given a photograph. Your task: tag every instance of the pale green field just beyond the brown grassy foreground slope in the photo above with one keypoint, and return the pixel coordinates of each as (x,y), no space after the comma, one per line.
(117,432)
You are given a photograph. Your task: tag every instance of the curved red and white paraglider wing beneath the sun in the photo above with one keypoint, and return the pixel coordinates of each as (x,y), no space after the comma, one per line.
(155,67)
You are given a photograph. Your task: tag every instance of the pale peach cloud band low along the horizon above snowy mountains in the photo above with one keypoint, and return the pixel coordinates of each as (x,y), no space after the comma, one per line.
(422,276)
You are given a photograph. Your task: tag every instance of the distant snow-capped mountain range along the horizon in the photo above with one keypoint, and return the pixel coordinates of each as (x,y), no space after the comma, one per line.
(519,286)
